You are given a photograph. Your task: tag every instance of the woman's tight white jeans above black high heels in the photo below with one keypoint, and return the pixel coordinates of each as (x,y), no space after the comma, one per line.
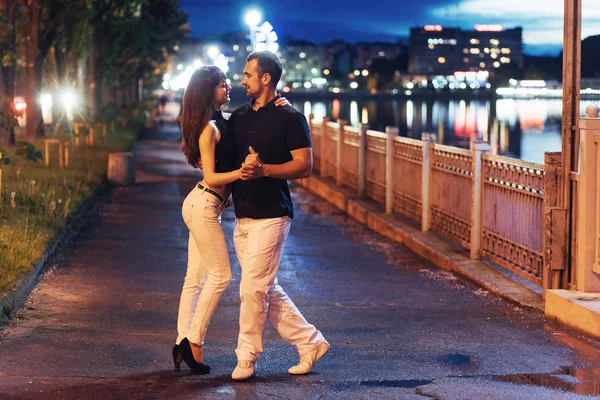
(208,271)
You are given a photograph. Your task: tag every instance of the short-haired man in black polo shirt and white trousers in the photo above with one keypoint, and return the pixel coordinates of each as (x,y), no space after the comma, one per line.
(273,146)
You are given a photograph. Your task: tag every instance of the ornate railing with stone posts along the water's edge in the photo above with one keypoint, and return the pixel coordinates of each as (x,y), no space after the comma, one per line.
(493,206)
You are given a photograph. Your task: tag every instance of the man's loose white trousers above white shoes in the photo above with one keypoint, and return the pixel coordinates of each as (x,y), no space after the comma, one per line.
(259,245)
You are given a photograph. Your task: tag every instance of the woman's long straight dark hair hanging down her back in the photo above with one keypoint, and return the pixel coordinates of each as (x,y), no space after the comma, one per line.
(198,108)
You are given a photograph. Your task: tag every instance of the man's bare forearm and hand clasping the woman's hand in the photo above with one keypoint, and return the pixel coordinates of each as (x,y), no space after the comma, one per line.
(299,167)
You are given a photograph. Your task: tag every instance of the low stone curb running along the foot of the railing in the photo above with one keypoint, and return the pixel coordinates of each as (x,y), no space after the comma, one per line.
(426,244)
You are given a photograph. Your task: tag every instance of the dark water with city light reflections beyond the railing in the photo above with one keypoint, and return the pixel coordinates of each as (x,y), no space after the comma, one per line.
(520,128)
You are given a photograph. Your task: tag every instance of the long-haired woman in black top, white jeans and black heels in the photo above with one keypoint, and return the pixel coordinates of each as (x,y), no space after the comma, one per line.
(205,137)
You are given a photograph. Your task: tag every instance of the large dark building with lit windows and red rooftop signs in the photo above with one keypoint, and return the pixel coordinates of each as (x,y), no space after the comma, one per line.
(435,50)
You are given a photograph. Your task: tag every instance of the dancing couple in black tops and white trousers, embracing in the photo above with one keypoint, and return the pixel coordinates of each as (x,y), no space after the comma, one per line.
(252,154)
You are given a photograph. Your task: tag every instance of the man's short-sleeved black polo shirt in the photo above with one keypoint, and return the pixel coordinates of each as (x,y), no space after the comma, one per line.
(272,132)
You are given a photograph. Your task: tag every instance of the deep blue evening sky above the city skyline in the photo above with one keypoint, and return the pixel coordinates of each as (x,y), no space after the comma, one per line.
(388,20)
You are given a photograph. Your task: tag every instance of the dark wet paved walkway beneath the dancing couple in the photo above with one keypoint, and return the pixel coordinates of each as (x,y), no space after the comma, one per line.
(101,324)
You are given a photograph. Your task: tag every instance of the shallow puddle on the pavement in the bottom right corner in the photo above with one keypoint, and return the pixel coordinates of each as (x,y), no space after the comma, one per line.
(585,381)
